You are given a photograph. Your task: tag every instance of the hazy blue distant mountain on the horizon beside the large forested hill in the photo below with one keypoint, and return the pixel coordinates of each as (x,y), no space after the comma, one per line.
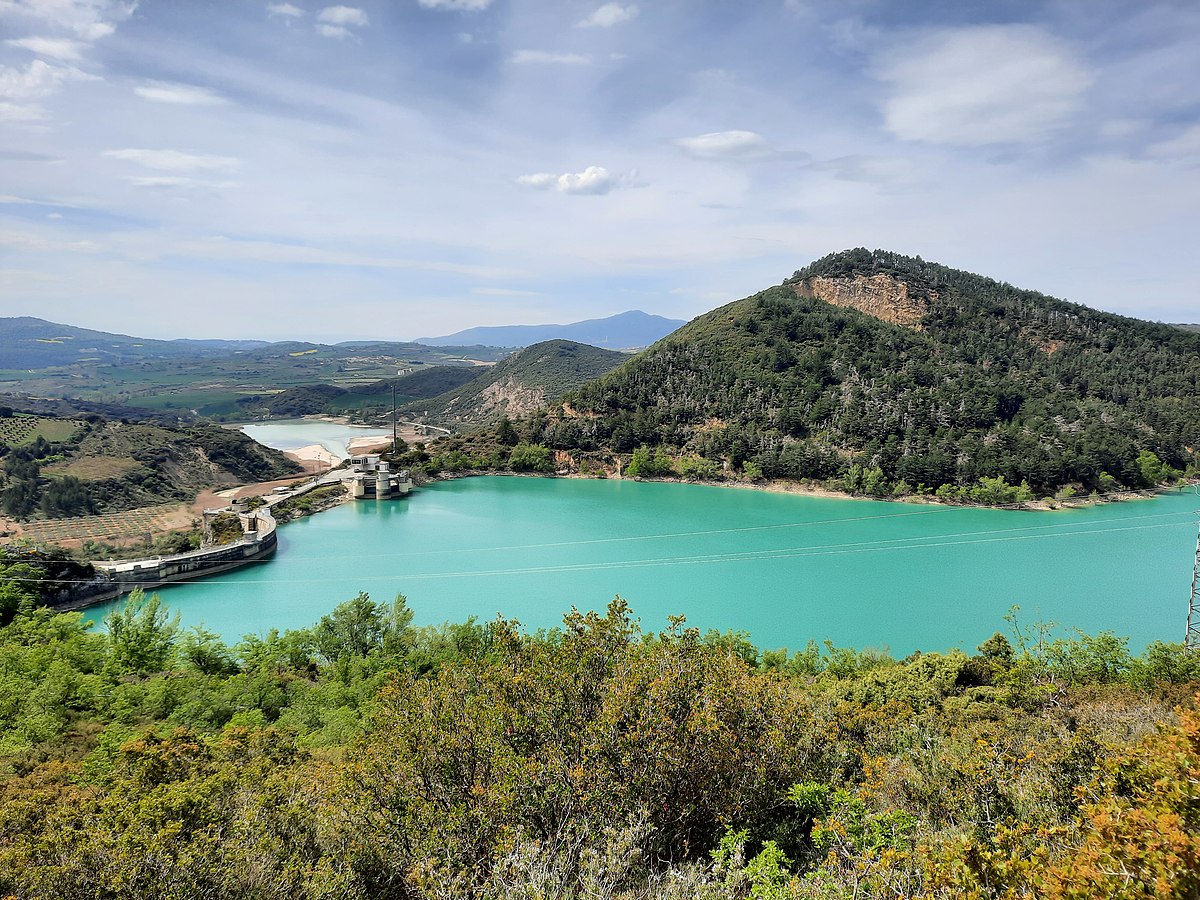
(627,331)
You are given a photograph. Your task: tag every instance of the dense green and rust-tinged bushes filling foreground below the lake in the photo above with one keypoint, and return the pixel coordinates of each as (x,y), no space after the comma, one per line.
(365,758)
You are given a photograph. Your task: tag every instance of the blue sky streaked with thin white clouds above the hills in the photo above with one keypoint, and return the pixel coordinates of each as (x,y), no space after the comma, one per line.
(400,169)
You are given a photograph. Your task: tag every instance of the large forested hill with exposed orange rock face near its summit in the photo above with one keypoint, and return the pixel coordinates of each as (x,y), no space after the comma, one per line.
(878,367)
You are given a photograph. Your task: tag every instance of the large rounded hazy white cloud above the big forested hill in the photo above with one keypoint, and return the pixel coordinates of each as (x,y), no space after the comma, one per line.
(979,86)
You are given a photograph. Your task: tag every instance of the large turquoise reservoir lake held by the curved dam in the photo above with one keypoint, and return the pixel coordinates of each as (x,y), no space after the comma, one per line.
(784,568)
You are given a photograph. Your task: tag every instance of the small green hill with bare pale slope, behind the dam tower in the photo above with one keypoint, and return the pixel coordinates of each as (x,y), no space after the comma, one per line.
(524,383)
